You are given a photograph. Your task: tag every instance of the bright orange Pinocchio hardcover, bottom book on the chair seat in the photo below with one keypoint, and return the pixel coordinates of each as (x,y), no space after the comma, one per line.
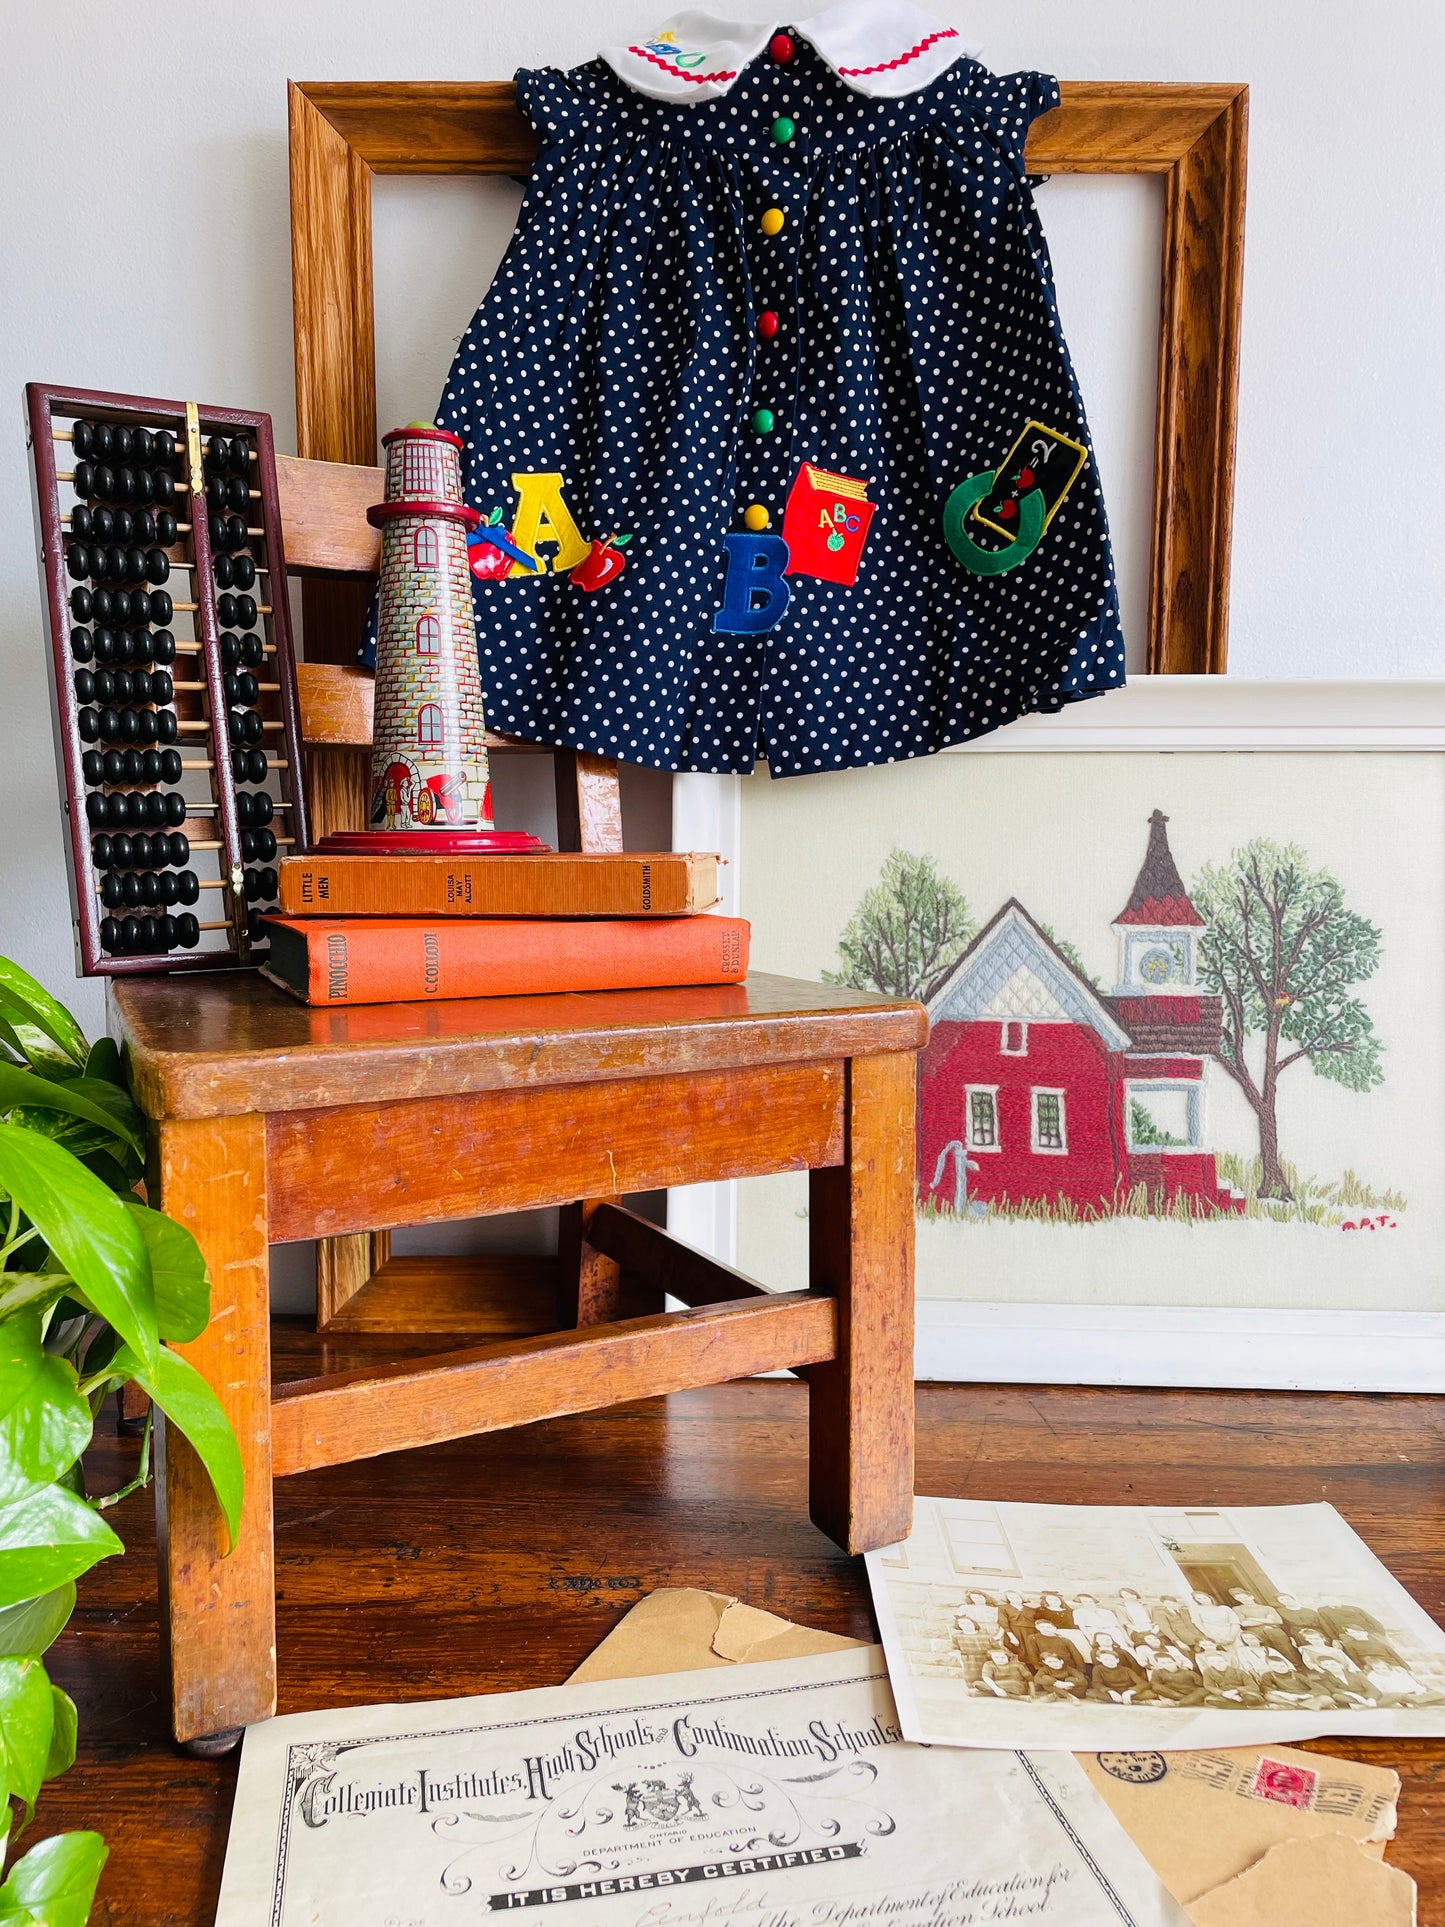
(407,961)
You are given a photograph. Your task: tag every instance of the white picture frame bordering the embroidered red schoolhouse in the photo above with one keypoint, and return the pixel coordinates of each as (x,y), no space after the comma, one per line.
(1132,1344)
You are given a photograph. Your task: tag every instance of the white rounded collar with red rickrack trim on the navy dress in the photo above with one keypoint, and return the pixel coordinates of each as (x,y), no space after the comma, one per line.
(878,47)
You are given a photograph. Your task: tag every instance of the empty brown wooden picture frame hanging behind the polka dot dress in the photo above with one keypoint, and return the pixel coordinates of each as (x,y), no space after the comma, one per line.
(346,132)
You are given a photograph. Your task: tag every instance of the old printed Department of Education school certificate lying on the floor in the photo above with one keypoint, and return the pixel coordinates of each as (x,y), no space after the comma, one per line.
(781,1795)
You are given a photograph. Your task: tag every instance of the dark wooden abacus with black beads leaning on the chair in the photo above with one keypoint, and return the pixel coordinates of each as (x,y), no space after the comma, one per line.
(178,739)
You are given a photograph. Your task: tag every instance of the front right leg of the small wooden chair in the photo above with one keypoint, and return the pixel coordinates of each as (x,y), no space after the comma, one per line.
(860,1406)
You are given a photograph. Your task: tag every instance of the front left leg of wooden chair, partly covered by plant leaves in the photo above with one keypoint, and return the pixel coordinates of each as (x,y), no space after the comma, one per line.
(219,1614)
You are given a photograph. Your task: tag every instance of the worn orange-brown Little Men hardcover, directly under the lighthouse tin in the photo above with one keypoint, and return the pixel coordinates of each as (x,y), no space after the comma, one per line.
(654,884)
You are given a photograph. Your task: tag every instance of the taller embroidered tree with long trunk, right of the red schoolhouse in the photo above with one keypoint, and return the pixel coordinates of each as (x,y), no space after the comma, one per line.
(1284,953)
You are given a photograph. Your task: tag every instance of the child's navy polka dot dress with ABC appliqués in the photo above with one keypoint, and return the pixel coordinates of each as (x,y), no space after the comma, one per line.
(774,394)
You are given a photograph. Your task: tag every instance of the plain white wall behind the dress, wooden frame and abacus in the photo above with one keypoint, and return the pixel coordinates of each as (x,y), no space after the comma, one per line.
(145,248)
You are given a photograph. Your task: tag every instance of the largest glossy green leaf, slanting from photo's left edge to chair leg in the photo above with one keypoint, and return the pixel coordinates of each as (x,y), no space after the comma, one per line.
(88,1228)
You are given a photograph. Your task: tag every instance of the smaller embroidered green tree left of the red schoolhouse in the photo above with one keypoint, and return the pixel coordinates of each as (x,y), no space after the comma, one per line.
(908,932)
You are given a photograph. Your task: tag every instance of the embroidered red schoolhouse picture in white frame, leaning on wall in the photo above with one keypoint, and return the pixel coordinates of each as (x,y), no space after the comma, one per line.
(1182,1113)
